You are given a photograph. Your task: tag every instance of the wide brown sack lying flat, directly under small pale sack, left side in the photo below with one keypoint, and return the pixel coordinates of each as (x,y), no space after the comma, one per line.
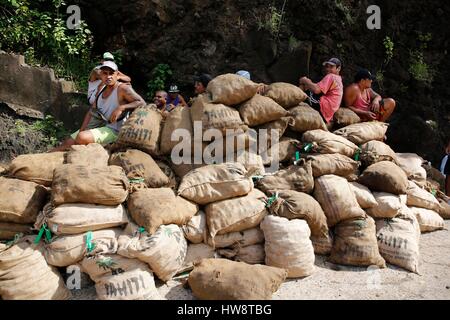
(73,183)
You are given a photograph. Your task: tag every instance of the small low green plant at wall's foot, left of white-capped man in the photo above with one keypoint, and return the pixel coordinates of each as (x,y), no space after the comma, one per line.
(52,130)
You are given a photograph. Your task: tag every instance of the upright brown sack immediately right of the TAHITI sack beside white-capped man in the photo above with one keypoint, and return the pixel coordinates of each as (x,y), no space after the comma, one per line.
(179,118)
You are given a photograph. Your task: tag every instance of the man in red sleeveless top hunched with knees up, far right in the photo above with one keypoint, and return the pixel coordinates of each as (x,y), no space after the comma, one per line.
(365,102)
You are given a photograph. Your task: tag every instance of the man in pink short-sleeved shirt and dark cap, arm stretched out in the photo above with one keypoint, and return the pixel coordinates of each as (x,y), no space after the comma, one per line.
(326,96)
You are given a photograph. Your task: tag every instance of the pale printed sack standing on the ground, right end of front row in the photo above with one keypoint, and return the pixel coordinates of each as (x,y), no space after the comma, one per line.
(398,242)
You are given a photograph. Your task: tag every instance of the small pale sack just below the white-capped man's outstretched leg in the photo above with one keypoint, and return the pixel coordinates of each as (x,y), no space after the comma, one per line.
(93,155)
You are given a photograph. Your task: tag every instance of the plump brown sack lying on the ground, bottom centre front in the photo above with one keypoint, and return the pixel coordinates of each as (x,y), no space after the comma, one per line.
(221,279)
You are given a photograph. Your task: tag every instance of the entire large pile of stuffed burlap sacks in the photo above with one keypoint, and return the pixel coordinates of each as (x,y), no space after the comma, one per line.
(128,214)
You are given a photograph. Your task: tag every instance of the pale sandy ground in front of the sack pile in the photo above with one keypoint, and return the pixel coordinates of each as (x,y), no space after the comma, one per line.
(333,282)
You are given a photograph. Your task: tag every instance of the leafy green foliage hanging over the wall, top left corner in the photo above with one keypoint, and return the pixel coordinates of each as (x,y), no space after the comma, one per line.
(38,30)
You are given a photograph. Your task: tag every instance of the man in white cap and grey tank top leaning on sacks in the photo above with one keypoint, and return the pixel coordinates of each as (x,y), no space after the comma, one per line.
(113,106)
